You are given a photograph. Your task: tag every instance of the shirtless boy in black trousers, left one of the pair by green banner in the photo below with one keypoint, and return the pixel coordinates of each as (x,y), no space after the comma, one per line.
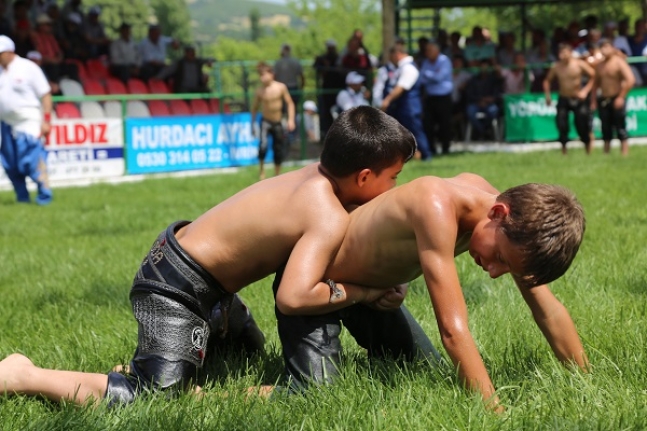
(569,72)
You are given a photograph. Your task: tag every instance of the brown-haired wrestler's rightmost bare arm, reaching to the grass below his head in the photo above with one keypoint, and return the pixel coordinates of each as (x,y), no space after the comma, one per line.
(556,324)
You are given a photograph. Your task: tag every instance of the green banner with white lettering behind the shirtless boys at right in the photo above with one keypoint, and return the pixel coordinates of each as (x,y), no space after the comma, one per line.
(529,119)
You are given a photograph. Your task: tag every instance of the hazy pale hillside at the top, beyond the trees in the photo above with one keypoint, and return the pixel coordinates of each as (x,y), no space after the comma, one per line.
(214,18)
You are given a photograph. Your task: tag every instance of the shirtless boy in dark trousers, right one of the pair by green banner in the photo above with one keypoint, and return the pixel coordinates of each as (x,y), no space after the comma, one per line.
(614,79)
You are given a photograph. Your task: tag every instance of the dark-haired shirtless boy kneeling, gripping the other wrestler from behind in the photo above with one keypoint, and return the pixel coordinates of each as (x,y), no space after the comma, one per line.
(298,218)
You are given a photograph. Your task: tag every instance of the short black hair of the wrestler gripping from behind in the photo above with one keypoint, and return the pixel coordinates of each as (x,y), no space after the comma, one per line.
(365,138)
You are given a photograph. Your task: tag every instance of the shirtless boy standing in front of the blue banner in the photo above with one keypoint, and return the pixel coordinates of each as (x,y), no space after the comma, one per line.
(270,96)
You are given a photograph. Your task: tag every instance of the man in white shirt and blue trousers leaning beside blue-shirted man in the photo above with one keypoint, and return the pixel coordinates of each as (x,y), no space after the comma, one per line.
(404,102)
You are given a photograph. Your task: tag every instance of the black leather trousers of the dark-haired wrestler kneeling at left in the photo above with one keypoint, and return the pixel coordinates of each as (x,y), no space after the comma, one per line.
(180,309)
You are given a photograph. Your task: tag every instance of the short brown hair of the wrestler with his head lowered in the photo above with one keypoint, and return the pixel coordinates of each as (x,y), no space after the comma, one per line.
(547,222)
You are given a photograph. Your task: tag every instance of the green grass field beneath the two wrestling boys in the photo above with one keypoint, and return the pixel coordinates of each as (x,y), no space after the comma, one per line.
(66,271)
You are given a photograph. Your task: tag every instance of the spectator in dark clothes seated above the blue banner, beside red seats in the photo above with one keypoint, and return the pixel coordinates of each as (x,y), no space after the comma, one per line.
(187,73)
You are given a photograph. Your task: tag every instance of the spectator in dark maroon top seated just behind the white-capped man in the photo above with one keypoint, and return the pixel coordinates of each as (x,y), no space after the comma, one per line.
(45,43)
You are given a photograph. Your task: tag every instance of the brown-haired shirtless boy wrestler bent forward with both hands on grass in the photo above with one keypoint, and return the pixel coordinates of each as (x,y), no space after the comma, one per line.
(531,231)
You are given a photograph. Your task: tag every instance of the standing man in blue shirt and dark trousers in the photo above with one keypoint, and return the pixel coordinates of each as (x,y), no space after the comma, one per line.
(436,78)
